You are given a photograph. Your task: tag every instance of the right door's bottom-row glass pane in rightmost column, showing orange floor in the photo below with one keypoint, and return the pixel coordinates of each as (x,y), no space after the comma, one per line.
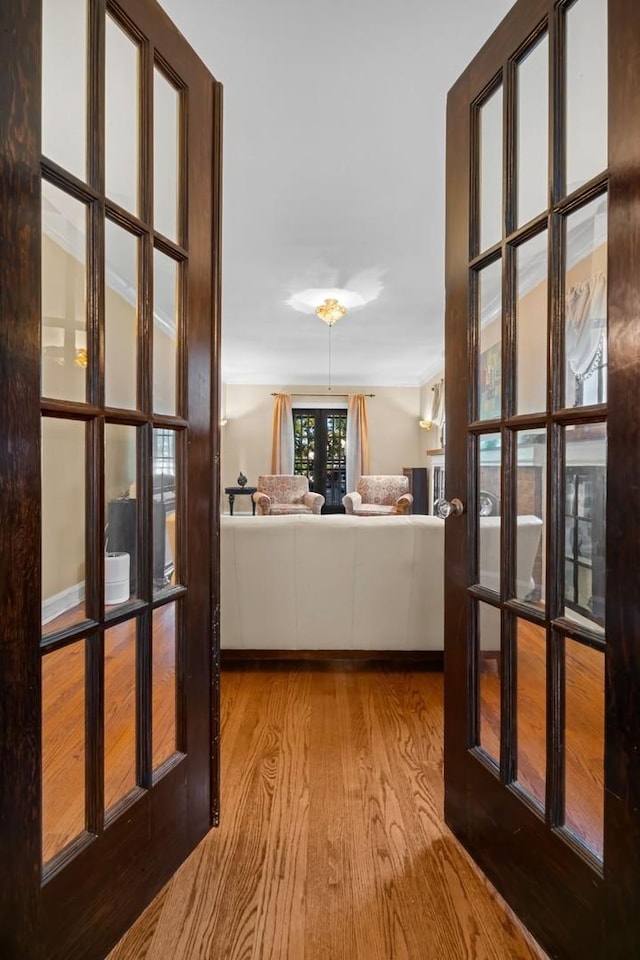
(584,744)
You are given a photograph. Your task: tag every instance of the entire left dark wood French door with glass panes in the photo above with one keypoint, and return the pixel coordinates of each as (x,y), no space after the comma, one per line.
(110,140)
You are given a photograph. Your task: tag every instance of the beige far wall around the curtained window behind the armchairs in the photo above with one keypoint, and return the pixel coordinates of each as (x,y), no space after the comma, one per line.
(396,439)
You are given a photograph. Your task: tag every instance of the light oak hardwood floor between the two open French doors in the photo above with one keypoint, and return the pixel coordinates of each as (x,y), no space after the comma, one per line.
(332,843)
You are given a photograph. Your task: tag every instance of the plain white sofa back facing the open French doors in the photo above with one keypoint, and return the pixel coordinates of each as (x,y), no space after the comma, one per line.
(332,582)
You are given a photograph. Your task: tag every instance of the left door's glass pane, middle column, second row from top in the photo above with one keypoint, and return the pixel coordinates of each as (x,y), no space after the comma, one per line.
(121,317)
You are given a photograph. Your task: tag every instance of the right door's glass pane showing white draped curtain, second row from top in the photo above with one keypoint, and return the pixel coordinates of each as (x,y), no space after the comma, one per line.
(586,305)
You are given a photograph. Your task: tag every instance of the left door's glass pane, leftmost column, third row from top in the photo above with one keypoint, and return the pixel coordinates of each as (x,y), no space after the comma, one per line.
(63,523)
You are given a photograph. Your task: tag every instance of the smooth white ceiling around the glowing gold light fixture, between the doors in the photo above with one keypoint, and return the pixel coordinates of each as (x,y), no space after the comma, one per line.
(333,165)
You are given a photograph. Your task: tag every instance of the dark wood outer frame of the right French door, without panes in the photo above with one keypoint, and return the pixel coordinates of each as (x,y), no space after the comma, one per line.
(496,843)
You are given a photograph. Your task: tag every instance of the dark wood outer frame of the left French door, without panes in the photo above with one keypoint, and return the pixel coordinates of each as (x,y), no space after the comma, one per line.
(33,913)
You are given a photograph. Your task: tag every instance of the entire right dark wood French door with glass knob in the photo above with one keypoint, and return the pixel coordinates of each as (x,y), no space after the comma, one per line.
(542,717)
